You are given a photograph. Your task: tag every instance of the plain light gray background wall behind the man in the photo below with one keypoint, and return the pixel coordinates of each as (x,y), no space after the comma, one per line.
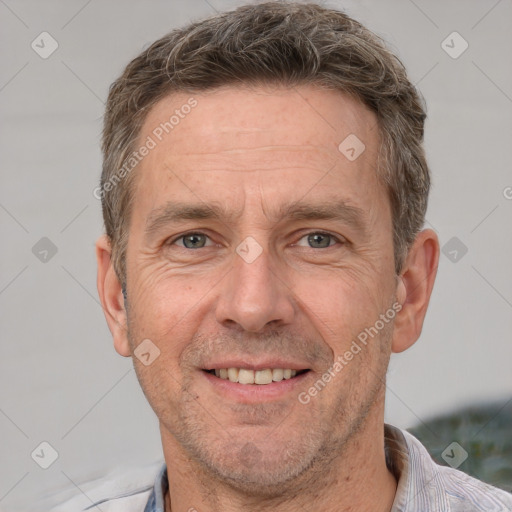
(62,381)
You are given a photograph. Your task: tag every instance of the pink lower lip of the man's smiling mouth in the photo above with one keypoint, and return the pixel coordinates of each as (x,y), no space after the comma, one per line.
(252,393)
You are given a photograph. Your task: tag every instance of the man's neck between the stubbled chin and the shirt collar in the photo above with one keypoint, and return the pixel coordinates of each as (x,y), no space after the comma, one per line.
(356,478)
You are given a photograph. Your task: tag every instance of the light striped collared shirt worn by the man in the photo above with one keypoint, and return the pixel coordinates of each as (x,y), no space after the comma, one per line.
(423,486)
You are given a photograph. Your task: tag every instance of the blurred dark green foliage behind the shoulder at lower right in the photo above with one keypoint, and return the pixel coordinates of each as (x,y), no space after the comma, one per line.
(484,431)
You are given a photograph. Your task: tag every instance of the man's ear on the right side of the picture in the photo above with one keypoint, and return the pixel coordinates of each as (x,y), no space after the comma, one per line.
(414,289)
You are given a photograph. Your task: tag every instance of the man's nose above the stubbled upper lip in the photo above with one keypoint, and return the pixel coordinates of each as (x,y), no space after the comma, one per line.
(254,297)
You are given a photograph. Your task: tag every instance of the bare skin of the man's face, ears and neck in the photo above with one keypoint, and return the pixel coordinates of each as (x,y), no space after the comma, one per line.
(255,151)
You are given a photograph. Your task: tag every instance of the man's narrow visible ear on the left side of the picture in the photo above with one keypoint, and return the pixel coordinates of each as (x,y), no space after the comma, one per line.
(111,296)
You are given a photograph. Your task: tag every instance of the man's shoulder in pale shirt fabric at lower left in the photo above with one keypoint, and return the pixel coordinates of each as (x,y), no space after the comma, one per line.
(119,491)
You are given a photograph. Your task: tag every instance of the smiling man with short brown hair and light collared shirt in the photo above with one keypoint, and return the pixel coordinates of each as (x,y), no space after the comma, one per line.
(264,189)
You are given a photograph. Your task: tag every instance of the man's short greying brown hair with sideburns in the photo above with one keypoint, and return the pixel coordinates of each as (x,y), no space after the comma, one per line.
(279,43)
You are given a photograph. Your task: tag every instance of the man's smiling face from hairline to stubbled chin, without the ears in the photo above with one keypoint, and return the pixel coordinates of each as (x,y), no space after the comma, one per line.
(256,245)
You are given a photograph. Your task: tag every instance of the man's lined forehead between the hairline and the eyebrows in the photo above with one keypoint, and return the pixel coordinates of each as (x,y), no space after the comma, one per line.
(242,142)
